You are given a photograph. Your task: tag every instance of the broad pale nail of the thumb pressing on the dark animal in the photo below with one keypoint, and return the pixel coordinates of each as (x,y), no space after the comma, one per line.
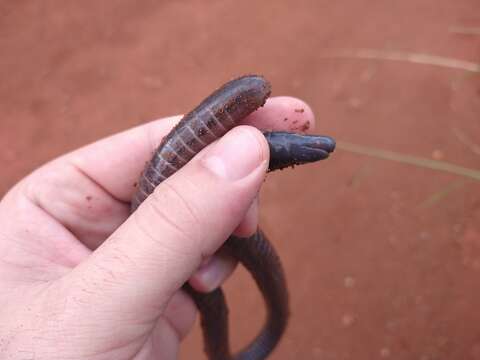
(235,155)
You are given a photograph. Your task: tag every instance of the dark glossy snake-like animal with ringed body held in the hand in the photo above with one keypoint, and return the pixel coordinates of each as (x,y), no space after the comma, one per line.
(217,114)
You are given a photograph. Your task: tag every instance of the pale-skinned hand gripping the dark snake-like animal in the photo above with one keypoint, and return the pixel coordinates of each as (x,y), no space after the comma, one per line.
(79,279)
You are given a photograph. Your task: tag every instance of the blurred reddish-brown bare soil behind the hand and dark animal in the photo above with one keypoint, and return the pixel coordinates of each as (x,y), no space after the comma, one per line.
(381,243)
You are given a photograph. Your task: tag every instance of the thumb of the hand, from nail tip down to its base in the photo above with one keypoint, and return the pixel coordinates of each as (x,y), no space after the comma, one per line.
(188,217)
